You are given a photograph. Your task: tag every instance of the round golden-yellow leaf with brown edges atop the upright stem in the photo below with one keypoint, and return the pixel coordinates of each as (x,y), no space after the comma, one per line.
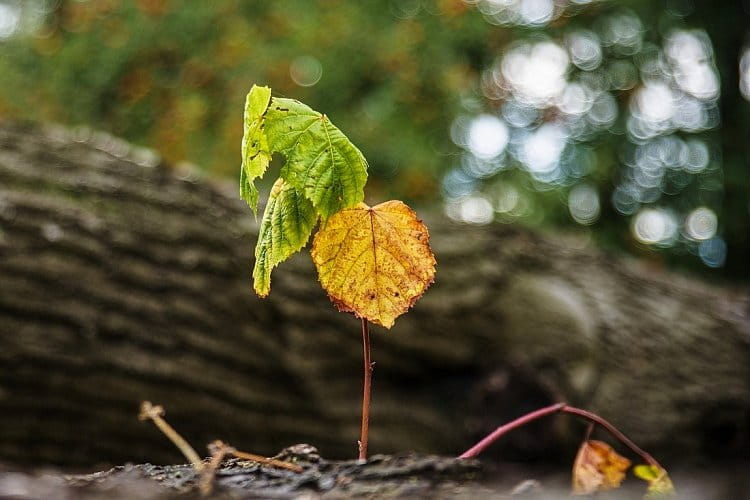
(374,262)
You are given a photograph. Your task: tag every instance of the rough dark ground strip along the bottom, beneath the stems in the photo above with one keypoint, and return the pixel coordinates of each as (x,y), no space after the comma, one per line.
(382,476)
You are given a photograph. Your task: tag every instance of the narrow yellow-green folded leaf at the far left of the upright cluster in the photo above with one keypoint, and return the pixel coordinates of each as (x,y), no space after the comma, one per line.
(255,152)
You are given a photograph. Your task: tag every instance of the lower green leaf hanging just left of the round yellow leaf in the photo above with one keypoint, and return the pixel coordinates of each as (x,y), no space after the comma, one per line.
(288,220)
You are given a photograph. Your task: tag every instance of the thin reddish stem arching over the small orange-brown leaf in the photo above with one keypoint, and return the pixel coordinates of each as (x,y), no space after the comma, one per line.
(549,410)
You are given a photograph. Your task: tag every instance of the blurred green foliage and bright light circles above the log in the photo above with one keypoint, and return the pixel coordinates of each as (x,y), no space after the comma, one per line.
(621,121)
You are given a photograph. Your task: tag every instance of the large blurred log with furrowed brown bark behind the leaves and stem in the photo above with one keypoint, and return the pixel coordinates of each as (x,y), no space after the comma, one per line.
(123,280)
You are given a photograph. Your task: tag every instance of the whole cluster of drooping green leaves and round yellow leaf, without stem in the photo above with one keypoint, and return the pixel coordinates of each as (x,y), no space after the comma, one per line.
(373,261)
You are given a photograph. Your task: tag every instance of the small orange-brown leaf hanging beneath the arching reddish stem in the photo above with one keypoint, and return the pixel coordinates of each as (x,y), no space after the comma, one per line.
(598,467)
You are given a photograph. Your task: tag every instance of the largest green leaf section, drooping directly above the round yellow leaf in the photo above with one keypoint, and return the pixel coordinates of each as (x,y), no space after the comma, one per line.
(320,160)
